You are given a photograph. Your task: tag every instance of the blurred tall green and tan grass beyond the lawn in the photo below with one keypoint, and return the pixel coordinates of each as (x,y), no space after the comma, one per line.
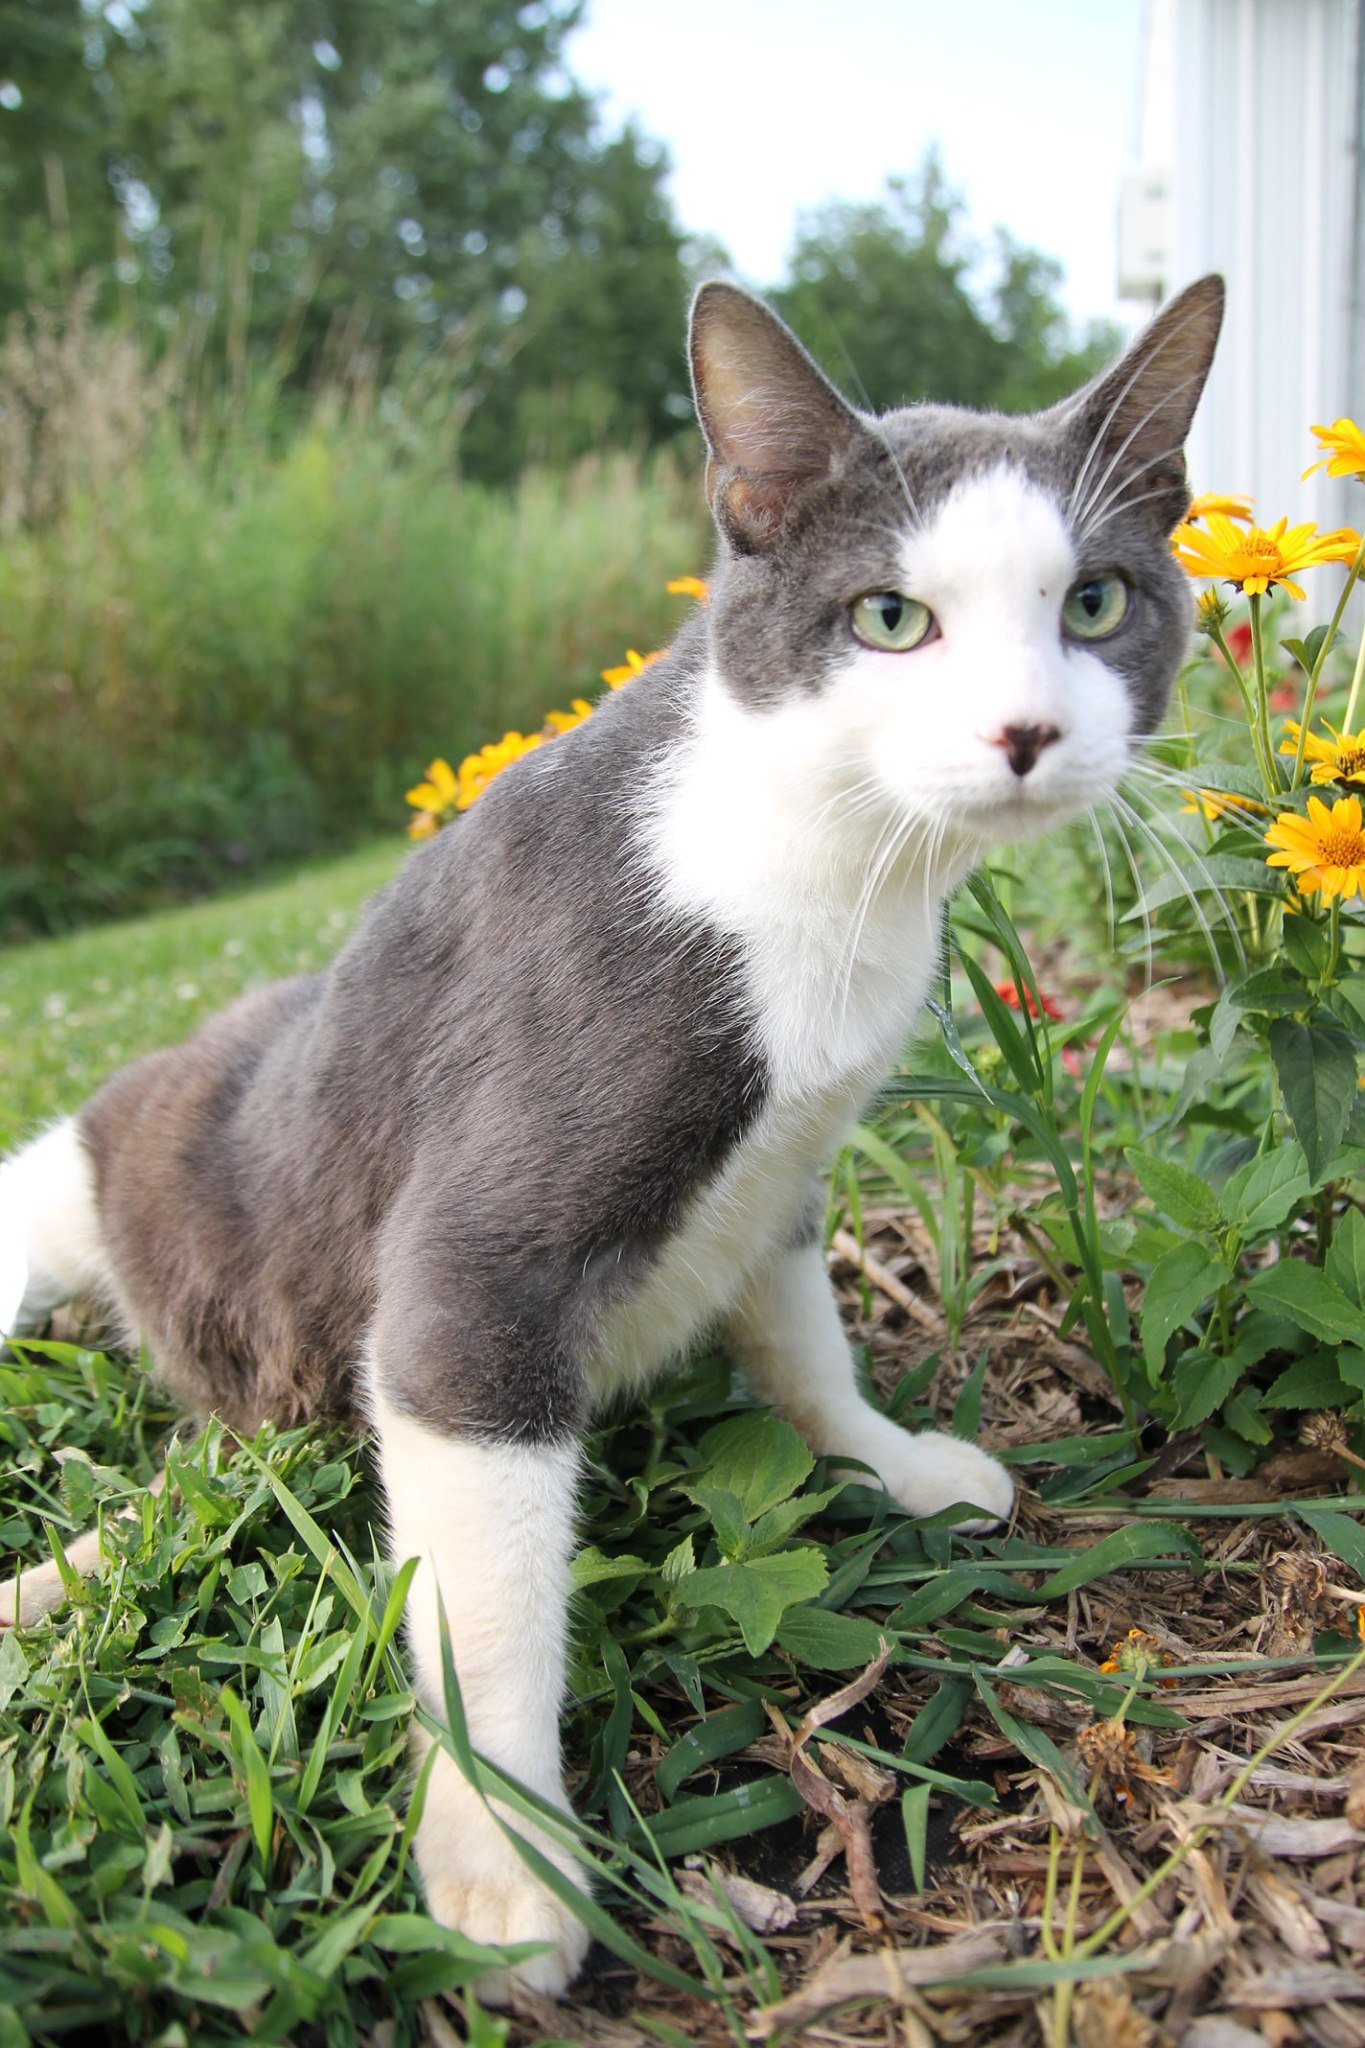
(236,632)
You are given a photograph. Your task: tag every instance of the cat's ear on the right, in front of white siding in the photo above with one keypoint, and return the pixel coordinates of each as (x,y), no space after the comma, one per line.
(1131,425)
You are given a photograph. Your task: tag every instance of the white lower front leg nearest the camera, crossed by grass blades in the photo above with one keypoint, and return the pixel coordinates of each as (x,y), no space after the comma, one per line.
(492,1525)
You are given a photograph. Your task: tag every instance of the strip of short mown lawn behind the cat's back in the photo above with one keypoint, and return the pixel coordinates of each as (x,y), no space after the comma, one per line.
(75,1009)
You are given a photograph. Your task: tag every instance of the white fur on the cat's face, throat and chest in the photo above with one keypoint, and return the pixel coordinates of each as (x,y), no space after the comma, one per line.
(828,830)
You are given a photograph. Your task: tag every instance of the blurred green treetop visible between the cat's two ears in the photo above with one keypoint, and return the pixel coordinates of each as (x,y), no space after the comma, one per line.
(883,296)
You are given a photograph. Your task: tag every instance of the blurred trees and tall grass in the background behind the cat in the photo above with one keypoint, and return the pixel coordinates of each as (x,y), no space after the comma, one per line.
(345,411)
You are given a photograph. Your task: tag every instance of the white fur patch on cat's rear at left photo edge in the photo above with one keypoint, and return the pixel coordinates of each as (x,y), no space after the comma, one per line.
(50,1230)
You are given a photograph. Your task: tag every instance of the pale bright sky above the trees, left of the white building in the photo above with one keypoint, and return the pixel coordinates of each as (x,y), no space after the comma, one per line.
(770,108)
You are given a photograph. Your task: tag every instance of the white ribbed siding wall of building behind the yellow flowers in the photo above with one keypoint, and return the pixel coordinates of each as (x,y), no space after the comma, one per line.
(1258,105)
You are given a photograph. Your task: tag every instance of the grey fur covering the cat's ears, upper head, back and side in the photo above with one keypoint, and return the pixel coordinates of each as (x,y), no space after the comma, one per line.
(472,1136)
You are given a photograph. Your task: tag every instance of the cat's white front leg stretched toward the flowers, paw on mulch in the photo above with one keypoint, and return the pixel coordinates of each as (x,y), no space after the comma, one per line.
(789,1336)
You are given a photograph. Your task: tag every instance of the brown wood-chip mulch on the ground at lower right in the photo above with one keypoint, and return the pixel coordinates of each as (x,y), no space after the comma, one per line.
(1253,1940)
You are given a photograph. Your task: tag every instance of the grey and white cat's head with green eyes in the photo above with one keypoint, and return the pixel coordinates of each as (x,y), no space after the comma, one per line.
(977,615)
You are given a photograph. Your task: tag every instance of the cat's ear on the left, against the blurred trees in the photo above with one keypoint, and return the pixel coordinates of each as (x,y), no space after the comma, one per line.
(770,417)
